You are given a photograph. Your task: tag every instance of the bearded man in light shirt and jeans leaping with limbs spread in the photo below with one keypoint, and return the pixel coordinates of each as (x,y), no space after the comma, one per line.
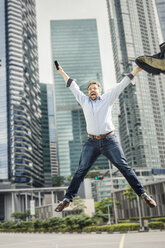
(102,139)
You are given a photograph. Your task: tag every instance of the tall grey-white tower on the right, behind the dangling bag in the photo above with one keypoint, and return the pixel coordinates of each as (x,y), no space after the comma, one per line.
(142,106)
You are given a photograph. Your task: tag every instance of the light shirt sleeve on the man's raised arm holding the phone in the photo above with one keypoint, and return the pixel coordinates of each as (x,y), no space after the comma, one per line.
(80,96)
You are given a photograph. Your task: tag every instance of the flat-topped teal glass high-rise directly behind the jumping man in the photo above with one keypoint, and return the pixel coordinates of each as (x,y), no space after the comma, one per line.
(75,45)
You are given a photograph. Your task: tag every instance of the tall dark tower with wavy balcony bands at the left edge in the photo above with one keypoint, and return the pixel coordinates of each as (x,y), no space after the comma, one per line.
(20,115)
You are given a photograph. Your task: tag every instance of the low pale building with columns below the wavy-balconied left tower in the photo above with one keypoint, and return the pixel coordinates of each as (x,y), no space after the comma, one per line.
(18,200)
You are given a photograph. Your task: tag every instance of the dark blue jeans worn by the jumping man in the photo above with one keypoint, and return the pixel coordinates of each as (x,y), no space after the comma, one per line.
(110,148)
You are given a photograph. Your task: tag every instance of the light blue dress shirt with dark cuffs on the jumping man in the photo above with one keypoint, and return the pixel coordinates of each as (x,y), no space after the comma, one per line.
(98,113)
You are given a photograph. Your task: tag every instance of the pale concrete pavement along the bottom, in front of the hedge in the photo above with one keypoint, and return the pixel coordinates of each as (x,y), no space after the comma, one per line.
(155,239)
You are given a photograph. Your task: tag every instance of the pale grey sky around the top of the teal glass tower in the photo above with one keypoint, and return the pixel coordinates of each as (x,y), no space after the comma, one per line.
(73,9)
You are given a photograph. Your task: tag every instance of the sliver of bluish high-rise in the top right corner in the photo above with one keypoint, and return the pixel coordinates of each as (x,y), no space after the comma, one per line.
(160,5)
